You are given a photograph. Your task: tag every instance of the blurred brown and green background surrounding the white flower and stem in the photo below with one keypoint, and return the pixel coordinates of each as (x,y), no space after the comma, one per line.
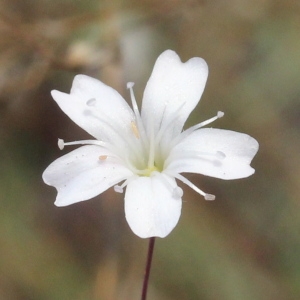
(245,245)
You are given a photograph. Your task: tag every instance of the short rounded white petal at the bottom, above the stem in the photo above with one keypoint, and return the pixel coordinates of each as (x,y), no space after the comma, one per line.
(152,205)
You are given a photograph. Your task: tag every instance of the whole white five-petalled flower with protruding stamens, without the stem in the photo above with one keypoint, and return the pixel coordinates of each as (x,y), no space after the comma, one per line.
(146,151)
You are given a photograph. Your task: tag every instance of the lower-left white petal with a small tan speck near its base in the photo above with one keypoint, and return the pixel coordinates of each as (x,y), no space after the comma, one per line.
(83,174)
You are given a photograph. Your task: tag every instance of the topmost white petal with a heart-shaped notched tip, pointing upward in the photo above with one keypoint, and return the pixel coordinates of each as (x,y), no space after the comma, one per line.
(173,90)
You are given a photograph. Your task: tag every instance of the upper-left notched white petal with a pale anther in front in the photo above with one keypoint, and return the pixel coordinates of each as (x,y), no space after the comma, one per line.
(97,108)
